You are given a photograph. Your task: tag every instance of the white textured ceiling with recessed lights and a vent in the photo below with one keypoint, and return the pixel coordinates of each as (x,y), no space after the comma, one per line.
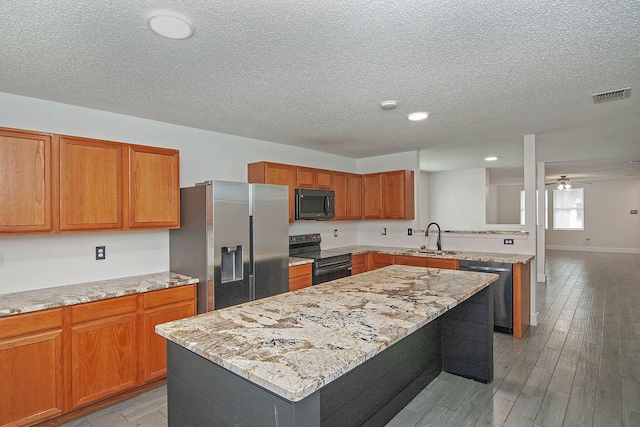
(313,73)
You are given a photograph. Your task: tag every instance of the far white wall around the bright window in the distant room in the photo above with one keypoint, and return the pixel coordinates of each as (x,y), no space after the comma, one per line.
(608,223)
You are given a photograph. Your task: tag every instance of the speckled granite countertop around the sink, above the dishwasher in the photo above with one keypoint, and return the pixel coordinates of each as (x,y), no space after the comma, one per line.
(460,255)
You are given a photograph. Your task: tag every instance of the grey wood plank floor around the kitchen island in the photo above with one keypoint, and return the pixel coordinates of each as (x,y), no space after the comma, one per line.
(579,367)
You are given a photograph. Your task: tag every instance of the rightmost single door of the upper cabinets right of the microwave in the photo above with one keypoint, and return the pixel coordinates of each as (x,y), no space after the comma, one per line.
(398,198)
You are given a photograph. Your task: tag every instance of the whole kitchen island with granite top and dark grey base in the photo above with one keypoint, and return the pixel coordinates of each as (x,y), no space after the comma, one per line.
(349,352)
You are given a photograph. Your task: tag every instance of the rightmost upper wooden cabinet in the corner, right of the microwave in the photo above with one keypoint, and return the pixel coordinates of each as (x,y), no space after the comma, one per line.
(388,195)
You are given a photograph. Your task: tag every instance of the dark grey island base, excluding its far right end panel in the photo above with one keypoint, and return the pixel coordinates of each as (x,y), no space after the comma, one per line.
(201,393)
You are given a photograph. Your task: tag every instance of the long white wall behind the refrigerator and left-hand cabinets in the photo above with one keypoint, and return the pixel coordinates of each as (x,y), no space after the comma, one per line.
(33,262)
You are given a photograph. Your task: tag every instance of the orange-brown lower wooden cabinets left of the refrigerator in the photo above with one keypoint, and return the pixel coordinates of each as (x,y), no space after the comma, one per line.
(54,361)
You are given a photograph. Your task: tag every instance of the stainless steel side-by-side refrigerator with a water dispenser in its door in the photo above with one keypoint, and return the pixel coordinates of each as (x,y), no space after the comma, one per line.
(233,236)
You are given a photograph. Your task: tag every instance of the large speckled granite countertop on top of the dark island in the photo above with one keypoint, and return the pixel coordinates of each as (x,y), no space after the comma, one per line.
(295,343)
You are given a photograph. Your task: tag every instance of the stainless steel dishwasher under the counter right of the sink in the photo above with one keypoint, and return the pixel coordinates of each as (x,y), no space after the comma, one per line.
(502,291)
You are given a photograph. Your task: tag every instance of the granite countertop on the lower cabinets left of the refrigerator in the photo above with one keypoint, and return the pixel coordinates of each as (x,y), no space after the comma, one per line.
(42,299)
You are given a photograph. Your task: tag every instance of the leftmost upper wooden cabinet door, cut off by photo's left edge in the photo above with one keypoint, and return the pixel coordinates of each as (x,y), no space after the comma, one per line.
(25,177)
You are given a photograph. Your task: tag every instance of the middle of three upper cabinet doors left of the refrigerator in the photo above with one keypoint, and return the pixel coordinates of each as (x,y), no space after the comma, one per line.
(90,184)
